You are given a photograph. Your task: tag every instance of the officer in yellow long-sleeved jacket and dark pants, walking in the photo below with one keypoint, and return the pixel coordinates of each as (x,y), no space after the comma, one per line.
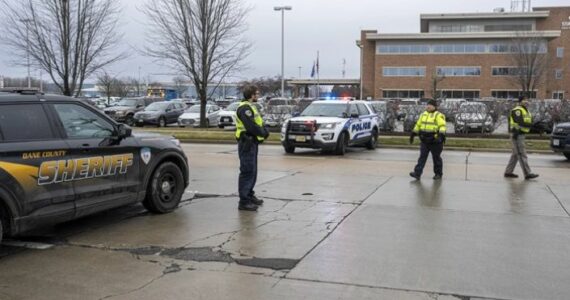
(431,128)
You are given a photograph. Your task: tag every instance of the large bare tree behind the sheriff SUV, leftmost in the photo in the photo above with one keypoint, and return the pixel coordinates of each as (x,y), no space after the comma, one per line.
(69,39)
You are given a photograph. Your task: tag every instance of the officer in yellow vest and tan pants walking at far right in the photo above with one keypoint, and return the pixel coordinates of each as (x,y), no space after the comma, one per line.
(520,122)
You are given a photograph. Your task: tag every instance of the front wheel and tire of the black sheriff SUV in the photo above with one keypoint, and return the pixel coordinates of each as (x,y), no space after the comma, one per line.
(165,189)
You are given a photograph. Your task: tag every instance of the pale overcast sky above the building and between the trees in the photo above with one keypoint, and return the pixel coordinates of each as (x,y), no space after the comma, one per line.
(328,26)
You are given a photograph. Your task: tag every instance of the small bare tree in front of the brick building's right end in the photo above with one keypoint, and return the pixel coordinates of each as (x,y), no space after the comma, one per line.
(530,57)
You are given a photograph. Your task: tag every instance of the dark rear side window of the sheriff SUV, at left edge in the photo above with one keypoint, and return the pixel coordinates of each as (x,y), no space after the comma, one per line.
(24,122)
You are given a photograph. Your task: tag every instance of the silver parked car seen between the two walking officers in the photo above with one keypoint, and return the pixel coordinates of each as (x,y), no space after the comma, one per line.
(474,117)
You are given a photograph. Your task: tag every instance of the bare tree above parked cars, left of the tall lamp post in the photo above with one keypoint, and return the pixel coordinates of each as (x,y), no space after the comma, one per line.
(202,39)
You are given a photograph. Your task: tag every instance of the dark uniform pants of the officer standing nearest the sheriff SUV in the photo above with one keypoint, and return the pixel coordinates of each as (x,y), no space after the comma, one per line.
(247,150)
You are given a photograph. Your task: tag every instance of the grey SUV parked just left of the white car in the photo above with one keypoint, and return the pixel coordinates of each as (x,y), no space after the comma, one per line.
(160,113)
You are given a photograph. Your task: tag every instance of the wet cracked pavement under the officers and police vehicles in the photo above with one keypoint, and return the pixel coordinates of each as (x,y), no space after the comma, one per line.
(352,227)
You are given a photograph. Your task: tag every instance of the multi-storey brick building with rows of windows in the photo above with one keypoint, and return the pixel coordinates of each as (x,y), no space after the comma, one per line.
(472,51)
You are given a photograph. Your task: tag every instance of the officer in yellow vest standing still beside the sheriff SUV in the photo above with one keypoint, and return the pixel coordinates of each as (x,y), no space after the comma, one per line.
(250,132)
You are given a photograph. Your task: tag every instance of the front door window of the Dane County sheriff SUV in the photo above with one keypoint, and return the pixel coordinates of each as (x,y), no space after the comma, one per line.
(79,122)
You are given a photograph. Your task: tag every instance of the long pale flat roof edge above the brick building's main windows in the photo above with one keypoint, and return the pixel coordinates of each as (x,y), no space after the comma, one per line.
(548,34)
